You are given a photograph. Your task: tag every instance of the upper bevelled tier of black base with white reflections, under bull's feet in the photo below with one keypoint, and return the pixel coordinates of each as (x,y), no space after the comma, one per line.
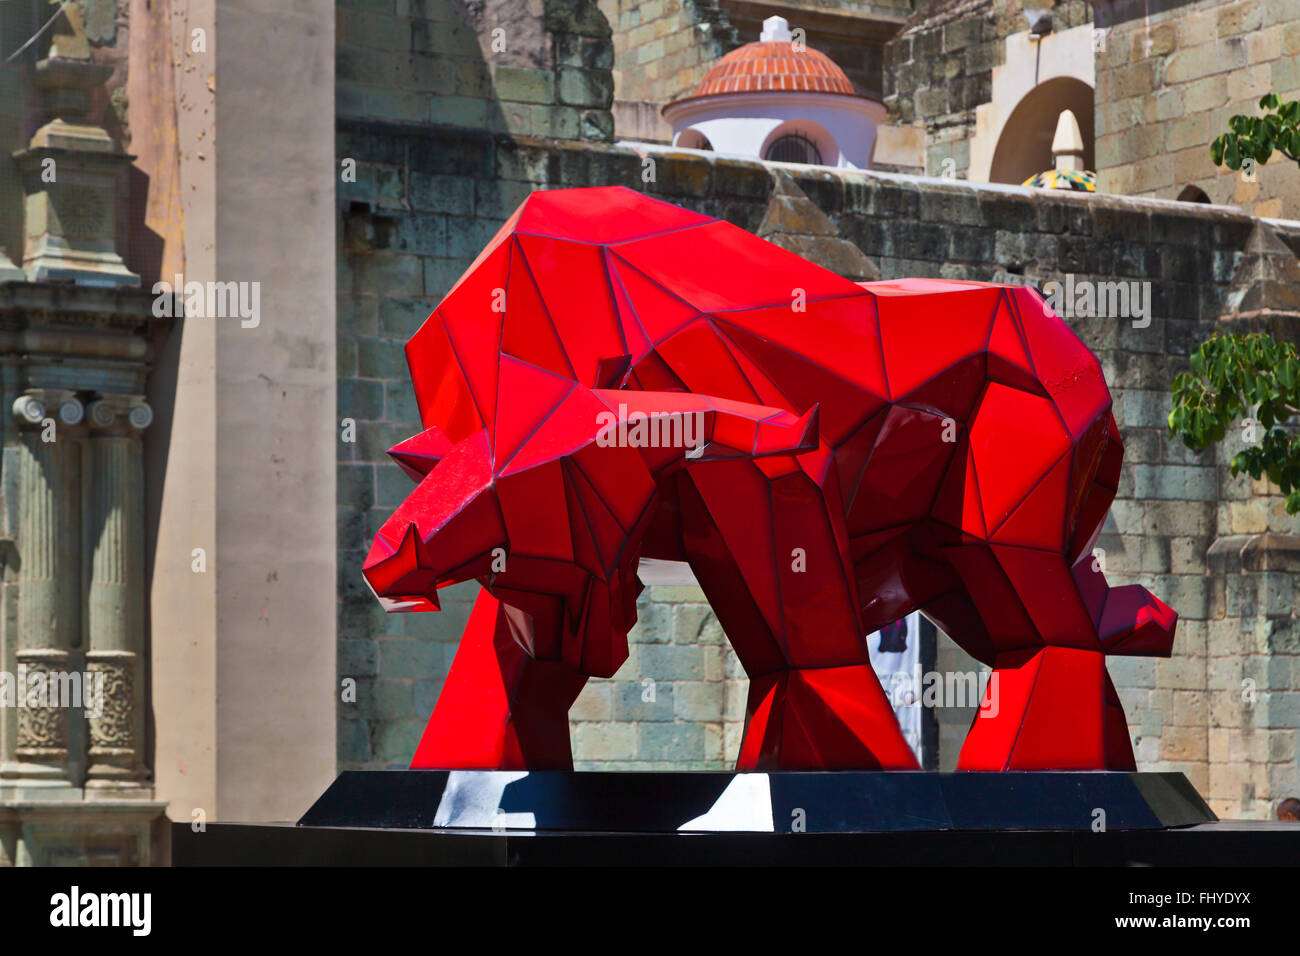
(800,803)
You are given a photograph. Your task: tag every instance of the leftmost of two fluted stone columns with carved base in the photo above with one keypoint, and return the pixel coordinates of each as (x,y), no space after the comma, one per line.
(49,589)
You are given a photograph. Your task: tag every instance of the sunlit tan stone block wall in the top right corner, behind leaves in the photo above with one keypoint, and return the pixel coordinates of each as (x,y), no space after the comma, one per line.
(1168,81)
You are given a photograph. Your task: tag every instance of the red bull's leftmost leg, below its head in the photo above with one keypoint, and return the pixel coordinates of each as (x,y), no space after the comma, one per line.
(500,708)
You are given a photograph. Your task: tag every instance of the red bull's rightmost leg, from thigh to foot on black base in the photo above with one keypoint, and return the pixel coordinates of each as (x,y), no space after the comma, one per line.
(1029,499)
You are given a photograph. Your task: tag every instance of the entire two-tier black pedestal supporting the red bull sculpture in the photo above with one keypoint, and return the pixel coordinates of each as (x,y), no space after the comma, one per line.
(491,819)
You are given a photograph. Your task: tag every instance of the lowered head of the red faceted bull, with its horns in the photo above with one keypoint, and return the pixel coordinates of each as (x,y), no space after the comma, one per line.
(549,509)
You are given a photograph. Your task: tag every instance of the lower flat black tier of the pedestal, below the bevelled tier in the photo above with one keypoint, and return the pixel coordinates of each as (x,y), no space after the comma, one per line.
(1246,845)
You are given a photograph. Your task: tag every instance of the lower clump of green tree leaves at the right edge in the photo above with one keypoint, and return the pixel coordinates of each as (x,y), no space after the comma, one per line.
(1249,378)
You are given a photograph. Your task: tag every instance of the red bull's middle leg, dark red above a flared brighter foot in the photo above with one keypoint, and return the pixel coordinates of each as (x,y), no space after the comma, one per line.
(766,540)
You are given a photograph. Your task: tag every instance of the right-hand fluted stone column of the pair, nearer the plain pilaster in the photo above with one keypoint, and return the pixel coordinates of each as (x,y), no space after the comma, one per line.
(115,613)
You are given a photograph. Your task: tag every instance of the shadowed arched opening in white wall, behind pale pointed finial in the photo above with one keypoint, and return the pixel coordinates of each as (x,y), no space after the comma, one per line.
(1025,146)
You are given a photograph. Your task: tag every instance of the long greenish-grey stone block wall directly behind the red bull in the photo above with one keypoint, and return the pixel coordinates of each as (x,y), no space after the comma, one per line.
(430,200)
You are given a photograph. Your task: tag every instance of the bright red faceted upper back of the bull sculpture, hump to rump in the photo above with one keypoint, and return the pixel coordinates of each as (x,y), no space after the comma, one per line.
(609,288)
